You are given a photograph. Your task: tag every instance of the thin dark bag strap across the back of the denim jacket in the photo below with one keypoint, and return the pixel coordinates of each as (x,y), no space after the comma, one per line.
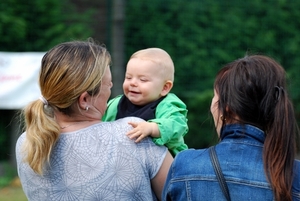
(218,171)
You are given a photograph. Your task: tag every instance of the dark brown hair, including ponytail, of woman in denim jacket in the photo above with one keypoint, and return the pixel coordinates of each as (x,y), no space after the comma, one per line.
(254,90)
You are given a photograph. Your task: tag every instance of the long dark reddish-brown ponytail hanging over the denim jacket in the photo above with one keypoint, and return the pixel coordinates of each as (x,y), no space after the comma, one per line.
(280,148)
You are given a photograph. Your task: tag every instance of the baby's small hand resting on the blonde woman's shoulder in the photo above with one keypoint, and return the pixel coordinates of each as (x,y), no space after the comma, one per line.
(141,130)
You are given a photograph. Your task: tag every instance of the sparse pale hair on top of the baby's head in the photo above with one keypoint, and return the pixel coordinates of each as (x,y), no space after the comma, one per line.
(160,57)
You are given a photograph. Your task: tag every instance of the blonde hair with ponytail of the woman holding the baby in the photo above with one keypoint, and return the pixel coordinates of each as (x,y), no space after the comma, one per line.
(67,70)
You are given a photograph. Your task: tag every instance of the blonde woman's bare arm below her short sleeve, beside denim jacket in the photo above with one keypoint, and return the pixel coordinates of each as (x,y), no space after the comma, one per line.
(158,181)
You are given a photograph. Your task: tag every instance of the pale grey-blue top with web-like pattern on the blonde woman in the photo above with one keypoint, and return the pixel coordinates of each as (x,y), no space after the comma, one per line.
(95,163)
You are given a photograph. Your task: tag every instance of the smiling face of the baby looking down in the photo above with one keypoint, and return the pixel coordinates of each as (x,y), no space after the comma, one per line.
(143,81)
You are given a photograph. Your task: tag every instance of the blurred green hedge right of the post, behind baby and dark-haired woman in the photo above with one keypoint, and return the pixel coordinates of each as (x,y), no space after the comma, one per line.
(202,36)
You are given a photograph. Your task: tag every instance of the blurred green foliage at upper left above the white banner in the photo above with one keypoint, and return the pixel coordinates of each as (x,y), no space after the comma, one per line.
(37,25)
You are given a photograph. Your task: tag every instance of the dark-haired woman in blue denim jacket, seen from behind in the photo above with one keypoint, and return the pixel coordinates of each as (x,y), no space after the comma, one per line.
(256,124)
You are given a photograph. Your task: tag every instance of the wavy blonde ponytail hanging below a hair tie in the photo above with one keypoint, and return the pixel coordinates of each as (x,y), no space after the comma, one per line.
(42,132)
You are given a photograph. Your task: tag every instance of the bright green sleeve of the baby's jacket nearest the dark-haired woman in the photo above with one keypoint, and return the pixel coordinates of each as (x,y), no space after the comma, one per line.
(171,118)
